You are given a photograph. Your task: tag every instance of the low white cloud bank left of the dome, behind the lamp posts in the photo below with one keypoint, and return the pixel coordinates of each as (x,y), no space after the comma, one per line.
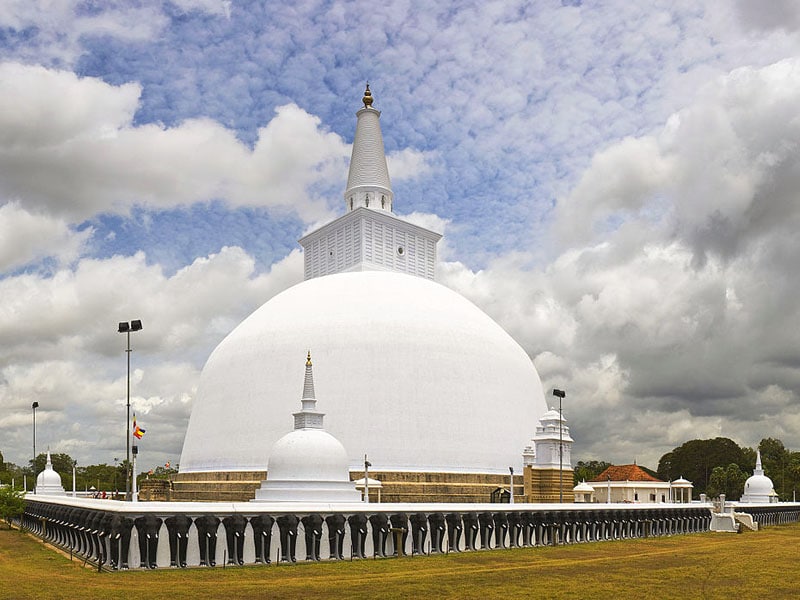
(59,346)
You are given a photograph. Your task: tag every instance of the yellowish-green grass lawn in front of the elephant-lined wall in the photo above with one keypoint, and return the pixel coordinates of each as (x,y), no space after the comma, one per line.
(751,565)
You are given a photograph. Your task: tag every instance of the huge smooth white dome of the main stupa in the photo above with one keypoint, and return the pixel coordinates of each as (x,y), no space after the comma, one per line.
(406,370)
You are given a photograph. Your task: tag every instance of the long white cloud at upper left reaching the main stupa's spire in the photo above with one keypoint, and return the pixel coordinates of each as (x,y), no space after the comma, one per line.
(73,152)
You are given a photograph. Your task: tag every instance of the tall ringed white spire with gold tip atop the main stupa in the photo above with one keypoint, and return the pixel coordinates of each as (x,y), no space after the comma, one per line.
(368,183)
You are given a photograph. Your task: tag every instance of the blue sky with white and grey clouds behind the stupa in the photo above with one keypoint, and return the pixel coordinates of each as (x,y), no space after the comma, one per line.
(618,185)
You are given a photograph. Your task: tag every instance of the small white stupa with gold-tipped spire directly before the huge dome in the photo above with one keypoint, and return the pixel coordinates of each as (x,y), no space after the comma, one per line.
(308,464)
